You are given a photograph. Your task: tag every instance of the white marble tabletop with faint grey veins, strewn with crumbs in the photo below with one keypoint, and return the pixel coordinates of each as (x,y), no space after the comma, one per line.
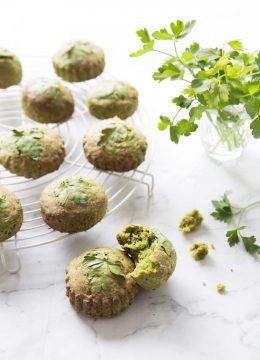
(183,320)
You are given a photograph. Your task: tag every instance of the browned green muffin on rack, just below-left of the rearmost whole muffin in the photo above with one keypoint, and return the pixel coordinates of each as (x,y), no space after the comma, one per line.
(47,100)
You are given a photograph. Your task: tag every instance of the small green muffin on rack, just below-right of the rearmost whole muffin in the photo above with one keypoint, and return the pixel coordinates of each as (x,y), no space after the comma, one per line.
(111,98)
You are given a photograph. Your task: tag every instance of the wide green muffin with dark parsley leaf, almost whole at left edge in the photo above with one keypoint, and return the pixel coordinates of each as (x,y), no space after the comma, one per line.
(32,151)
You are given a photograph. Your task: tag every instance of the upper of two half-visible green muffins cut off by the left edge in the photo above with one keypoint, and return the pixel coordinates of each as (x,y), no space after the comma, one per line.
(10,69)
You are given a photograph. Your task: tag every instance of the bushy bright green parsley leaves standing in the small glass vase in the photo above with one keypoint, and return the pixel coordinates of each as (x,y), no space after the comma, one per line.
(217,78)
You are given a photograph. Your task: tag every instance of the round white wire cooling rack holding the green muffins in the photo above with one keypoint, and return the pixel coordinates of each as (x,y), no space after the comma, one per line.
(119,186)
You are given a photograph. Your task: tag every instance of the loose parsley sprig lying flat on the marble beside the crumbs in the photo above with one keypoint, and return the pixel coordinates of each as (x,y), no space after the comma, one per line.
(226,212)
